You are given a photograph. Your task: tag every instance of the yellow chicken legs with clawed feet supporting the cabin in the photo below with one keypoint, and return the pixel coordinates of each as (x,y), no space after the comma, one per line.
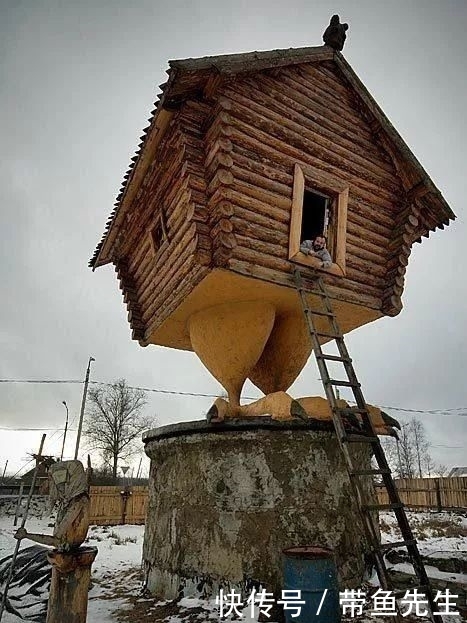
(248,339)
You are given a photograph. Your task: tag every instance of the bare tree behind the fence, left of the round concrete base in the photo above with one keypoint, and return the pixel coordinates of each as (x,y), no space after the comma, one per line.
(115,421)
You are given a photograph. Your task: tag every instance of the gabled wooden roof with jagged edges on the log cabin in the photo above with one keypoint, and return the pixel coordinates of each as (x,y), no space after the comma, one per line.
(196,78)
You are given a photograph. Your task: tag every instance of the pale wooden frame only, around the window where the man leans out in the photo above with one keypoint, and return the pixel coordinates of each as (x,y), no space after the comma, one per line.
(338,191)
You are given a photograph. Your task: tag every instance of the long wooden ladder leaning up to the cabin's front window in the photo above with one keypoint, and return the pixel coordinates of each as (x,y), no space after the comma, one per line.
(366,434)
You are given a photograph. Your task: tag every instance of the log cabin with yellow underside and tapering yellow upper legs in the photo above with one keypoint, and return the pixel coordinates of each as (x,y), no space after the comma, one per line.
(245,156)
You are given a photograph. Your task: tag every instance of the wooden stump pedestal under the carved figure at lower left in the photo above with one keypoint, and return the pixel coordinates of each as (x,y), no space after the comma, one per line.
(71,573)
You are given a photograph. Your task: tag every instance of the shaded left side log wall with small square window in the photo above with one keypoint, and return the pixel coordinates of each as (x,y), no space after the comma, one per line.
(175,191)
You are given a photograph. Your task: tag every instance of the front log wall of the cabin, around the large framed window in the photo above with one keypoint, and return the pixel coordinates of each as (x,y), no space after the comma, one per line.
(266,123)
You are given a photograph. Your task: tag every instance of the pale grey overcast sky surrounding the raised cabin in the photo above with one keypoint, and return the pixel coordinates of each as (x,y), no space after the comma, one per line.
(78,80)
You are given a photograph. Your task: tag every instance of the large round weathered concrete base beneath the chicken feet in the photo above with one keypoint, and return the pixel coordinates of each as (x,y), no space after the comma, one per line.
(226,500)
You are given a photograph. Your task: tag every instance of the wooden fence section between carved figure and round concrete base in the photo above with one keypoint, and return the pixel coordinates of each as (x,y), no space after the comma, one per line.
(118,505)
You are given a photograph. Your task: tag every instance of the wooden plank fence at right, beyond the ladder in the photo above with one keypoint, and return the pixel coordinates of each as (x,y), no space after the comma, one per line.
(438,493)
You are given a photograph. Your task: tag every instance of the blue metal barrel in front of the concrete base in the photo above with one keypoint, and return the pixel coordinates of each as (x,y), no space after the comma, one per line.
(311,570)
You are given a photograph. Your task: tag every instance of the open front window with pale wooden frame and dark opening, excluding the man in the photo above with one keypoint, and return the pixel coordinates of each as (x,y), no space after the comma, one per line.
(319,208)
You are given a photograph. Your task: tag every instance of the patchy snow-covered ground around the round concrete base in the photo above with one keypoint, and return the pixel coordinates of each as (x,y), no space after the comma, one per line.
(116,593)
